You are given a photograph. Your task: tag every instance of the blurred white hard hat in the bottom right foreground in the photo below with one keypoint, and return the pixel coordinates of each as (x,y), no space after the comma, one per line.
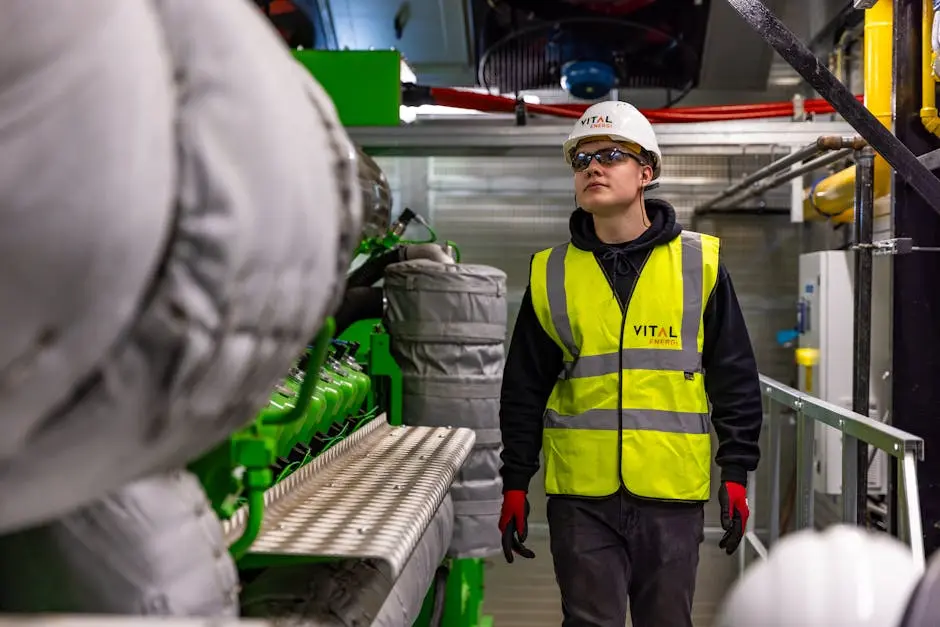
(842,576)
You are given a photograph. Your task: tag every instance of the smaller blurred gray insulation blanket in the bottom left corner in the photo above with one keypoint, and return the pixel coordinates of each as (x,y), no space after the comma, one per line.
(152,547)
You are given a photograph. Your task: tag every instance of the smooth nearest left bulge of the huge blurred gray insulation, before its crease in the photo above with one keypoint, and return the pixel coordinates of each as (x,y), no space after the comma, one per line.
(86,193)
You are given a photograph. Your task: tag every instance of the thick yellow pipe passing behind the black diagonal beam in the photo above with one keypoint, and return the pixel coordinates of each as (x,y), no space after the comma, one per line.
(835,196)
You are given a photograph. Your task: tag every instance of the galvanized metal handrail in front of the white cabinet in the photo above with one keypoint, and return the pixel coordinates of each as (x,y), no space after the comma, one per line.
(905,448)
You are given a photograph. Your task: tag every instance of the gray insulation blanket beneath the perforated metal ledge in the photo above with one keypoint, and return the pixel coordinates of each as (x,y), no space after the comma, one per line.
(353,593)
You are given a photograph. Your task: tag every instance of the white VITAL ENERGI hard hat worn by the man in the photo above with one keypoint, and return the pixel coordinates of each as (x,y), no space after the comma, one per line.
(619,121)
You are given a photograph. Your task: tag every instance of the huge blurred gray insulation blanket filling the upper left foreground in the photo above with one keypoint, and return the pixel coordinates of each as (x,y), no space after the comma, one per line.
(178,203)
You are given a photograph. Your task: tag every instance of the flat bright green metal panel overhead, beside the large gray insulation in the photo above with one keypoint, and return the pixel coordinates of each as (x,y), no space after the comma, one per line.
(365,85)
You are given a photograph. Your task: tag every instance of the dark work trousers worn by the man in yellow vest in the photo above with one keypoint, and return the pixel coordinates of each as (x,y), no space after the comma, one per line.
(618,549)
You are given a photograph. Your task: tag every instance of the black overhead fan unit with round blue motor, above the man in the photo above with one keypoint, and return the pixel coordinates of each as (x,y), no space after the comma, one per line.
(590,47)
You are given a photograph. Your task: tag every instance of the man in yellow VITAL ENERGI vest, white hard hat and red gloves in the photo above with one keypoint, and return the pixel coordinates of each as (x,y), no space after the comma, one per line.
(624,338)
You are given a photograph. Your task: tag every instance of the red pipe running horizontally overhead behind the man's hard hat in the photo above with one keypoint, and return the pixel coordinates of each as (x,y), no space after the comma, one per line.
(448,97)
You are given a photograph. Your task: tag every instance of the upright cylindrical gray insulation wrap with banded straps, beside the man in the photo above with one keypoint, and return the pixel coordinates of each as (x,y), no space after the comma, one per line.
(447,324)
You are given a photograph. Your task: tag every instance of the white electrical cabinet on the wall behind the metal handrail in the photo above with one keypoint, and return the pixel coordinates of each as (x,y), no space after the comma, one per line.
(825,322)
